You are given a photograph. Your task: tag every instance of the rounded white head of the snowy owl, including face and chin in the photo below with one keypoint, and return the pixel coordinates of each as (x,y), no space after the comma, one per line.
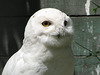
(50,27)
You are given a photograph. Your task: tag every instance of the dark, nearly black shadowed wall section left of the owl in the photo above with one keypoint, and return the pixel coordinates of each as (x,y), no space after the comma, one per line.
(14,15)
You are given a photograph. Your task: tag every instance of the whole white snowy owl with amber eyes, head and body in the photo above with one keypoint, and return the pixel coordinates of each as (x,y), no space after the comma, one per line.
(46,48)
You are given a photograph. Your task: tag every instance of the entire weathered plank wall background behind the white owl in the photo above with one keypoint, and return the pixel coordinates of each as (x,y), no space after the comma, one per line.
(85,14)
